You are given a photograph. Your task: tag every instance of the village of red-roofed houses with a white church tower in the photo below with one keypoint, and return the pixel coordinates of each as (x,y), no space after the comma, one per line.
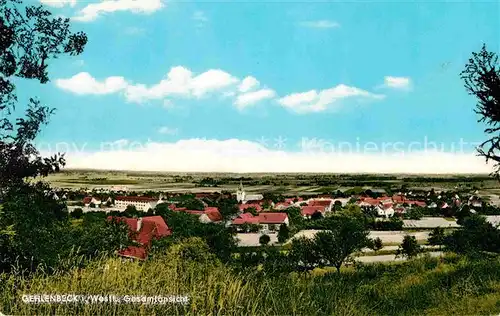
(413,212)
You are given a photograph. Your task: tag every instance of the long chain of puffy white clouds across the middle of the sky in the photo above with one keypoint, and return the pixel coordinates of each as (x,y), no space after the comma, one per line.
(180,82)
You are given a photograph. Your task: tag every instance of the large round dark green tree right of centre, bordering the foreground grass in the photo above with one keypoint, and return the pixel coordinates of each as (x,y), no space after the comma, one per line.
(346,236)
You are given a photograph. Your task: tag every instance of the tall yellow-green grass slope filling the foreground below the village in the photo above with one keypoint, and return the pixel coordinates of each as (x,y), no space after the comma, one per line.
(427,286)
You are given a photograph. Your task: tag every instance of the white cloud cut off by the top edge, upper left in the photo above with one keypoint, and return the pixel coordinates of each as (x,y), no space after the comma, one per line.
(94,10)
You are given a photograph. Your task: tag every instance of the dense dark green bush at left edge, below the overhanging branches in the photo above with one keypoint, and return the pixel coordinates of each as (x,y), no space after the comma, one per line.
(37,224)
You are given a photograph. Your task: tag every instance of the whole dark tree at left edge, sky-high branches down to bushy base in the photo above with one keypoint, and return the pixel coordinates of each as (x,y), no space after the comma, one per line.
(30,218)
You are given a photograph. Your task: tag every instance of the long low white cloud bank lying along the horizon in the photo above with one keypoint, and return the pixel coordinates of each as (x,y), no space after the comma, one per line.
(235,155)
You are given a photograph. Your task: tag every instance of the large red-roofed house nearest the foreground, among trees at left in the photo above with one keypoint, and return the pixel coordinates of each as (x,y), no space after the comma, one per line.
(143,231)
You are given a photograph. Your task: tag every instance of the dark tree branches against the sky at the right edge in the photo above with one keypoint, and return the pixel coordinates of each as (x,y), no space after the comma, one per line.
(482,80)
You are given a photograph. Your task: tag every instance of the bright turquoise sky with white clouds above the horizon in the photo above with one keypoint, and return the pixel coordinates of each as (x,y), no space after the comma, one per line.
(268,86)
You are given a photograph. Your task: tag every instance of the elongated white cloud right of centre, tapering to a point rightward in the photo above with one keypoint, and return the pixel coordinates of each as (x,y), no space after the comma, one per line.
(314,101)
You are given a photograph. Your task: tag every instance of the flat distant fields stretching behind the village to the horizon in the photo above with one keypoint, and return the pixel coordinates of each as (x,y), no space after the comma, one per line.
(278,183)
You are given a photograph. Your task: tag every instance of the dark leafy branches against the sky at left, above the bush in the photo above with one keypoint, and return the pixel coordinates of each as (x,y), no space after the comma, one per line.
(28,40)
